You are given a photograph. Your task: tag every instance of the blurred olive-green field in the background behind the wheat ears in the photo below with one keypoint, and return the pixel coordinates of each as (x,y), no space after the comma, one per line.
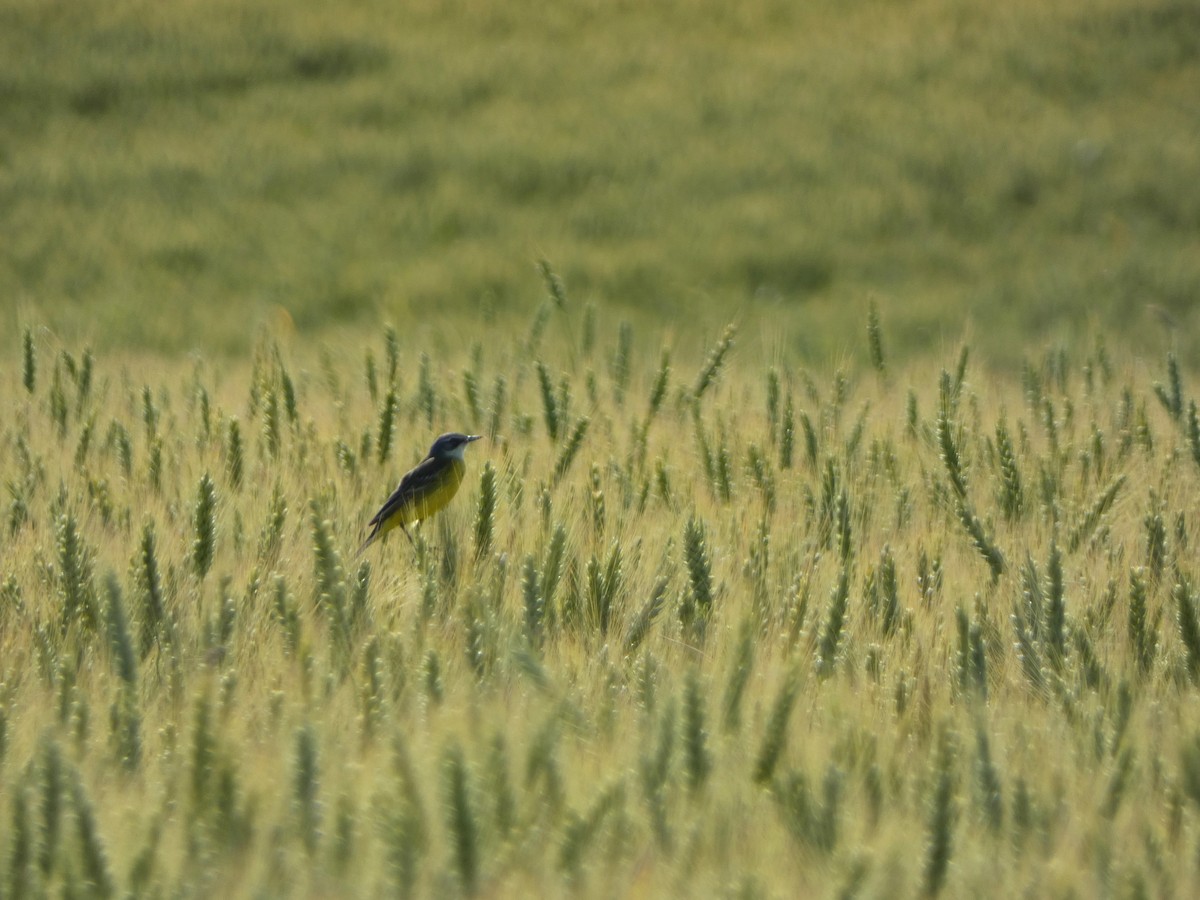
(175,176)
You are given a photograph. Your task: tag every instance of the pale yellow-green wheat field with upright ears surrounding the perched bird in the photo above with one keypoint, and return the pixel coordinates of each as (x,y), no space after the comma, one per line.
(693,627)
